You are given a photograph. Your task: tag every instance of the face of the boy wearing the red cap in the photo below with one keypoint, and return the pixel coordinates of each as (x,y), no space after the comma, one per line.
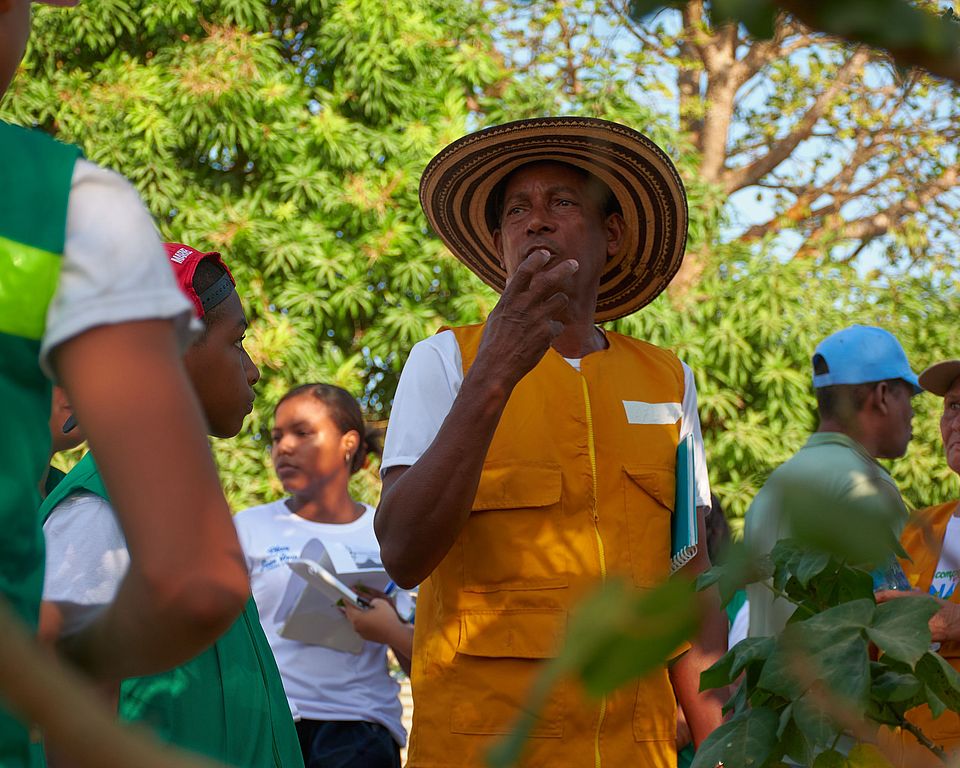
(222,372)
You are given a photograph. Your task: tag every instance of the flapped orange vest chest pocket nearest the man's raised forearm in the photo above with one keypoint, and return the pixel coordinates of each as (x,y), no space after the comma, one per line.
(514,539)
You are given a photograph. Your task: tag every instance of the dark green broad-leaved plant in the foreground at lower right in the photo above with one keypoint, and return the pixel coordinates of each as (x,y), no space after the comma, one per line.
(843,665)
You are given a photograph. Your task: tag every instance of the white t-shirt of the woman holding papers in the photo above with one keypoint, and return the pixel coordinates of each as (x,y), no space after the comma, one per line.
(320,683)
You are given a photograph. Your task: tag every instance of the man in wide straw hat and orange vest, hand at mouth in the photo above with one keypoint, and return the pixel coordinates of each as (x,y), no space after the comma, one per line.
(530,456)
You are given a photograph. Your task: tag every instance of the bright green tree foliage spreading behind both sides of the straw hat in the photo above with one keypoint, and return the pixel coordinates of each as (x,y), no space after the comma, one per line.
(290,135)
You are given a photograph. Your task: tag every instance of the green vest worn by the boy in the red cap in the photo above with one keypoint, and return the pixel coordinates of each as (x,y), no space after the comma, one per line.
(228,702)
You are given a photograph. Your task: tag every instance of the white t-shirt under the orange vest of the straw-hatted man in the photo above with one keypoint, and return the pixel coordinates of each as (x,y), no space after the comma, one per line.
(431,380)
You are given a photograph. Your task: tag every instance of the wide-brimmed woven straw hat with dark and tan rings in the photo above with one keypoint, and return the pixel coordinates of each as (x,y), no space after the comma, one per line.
(457,185)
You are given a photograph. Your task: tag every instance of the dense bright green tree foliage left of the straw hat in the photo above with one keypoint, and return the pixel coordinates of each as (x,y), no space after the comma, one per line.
(290,136)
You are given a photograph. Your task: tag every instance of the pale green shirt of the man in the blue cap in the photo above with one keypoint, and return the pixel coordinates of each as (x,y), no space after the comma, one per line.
(839,468)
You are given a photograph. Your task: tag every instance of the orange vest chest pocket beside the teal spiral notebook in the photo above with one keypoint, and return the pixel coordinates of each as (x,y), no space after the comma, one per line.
(648,499)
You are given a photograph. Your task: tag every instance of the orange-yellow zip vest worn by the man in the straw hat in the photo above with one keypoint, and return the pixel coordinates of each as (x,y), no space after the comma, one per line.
(575,487)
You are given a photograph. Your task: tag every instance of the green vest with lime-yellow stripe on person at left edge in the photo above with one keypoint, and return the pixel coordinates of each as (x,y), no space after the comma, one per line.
(34,189)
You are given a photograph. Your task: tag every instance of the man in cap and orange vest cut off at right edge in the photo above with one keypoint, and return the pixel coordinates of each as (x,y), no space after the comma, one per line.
(932,542)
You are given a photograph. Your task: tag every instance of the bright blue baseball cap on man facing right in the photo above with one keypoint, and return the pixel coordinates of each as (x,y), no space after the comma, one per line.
(861,354)
